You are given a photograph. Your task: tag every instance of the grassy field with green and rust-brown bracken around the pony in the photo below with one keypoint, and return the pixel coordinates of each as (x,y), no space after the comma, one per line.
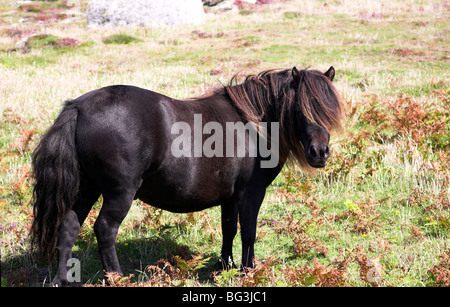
(377,215)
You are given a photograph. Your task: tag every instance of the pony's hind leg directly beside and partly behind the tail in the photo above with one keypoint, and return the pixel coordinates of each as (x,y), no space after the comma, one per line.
(70,228)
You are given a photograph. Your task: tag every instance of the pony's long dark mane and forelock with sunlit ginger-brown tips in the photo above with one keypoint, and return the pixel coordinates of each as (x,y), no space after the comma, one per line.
(274,96)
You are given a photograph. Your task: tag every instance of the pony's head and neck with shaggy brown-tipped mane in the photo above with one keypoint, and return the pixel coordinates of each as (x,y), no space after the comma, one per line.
(304,102)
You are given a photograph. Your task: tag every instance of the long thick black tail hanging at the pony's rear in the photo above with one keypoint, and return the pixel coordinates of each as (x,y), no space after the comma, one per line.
(57,179)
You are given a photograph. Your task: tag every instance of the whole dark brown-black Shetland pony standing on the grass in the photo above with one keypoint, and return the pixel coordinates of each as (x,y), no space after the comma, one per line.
(116,142)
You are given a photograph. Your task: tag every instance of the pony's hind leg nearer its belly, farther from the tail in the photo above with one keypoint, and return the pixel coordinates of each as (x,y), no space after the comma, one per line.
(115,207)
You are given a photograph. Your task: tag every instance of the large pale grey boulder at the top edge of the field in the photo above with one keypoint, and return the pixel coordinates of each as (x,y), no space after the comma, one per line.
(147,13)
